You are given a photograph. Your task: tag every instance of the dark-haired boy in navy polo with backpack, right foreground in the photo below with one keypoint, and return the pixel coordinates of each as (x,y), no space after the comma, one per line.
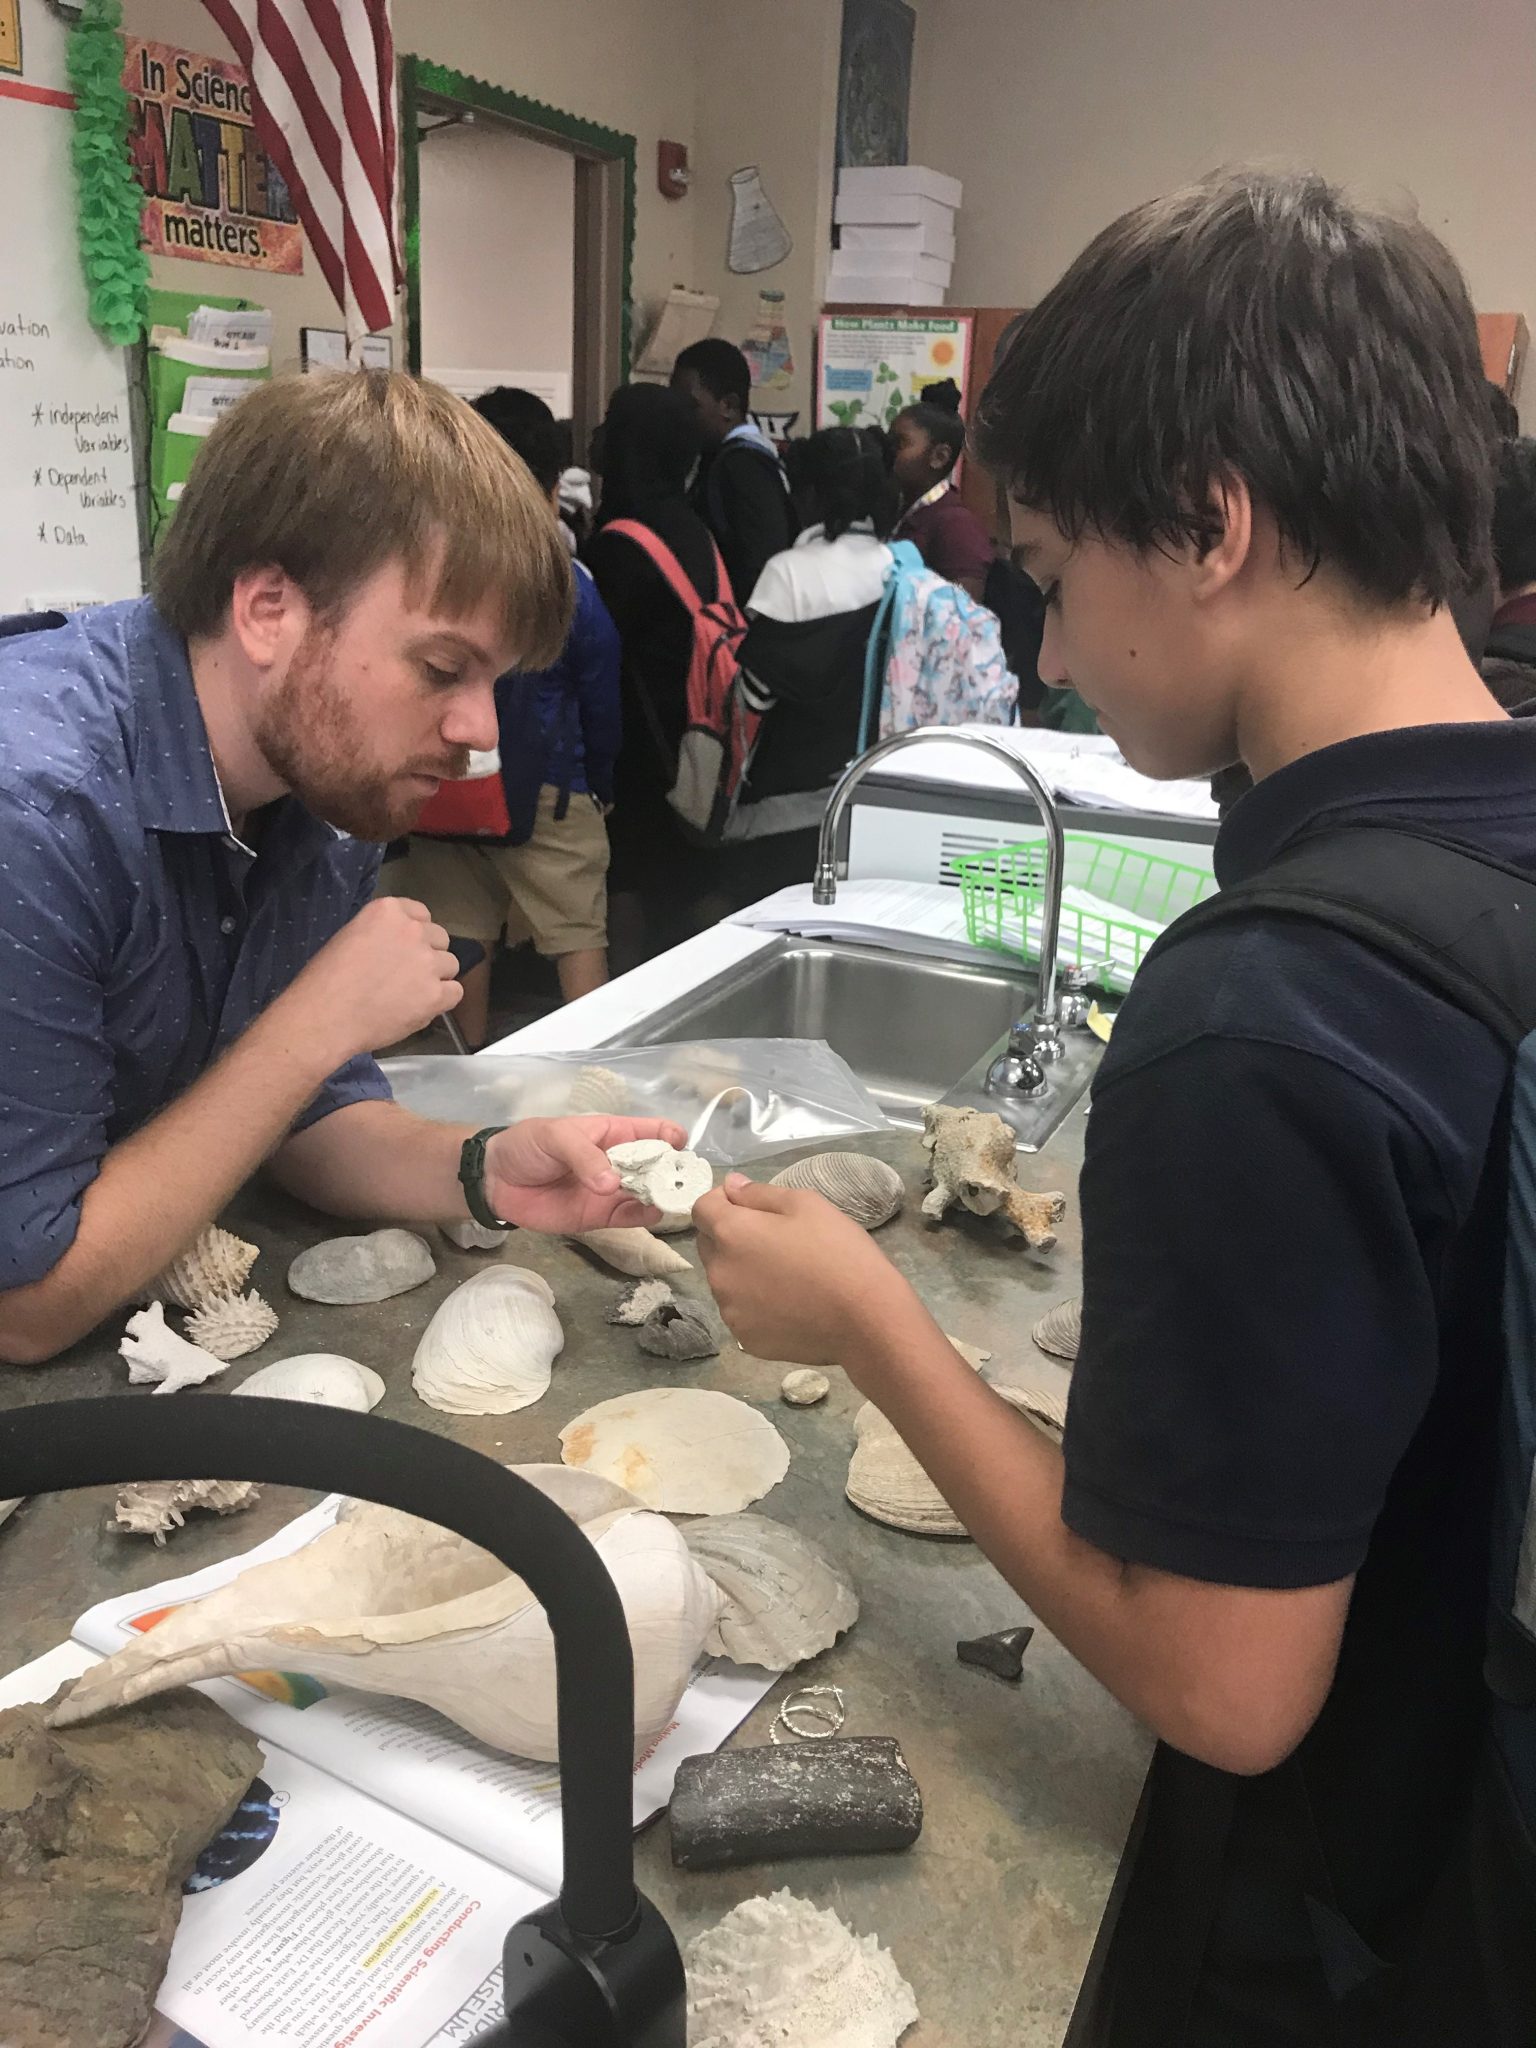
(1291,1523)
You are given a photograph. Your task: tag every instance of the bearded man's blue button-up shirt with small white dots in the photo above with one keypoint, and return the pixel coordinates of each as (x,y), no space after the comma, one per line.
(138,935)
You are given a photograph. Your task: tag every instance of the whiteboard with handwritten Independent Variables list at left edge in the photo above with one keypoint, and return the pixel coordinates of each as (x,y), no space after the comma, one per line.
(69,515)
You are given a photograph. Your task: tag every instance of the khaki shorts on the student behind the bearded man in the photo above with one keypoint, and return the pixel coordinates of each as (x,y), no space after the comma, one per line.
(554,890)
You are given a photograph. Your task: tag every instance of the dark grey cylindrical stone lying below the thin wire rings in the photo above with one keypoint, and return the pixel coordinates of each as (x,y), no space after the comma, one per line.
(845,1795)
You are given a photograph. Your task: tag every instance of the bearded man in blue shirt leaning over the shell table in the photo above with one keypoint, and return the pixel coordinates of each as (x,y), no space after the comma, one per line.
(194,976)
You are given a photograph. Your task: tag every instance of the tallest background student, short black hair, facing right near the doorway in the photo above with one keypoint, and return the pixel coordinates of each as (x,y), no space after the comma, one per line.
(740,488)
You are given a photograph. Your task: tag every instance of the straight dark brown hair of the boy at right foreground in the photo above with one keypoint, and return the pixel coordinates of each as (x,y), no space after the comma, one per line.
(1258,327)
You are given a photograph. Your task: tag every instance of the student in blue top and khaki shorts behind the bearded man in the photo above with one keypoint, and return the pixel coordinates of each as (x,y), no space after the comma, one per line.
(558,734)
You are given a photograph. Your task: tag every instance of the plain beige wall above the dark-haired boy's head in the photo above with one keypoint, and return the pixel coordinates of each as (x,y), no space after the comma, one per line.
(1060,118)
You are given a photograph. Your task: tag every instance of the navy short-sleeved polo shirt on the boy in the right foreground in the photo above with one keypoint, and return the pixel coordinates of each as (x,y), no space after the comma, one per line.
(1291,1332)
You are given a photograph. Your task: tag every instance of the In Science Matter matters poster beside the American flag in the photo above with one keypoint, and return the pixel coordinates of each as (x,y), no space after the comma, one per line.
(212,194)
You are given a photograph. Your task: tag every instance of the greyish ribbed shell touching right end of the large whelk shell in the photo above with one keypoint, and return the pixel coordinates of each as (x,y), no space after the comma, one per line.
(783,1598)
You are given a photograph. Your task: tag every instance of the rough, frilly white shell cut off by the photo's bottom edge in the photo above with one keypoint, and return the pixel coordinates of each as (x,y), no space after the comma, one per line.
(783,1971)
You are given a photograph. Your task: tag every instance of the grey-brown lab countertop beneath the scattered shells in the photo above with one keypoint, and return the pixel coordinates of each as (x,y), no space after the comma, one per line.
(1029,1789)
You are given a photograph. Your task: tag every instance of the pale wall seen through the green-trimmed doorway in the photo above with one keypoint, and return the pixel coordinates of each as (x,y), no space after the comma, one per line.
(499,230)
